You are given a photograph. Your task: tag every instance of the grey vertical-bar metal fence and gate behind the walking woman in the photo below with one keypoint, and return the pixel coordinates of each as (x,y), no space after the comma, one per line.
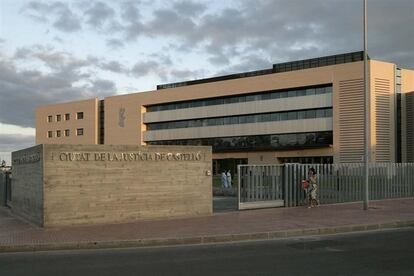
(337,183)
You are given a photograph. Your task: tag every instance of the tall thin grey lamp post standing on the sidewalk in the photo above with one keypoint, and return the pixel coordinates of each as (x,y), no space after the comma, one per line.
(367,112)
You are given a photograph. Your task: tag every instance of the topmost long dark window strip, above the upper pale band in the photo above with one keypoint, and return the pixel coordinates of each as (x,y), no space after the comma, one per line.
(258,96)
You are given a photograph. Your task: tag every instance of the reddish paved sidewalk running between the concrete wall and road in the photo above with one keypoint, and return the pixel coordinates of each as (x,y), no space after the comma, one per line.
(17,235)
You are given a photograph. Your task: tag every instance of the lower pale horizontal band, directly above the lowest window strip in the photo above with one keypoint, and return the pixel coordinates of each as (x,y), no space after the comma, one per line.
(280,127)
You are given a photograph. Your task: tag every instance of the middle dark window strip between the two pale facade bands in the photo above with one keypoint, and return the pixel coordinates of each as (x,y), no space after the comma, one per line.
(245,119)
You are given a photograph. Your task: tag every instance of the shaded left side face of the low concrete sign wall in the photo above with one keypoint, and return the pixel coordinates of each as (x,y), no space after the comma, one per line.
(27,184)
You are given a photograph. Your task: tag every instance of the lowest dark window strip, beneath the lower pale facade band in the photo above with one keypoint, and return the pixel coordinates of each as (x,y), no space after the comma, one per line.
(258,142)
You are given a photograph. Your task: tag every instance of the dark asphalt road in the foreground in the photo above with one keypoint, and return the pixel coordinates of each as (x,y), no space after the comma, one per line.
(375,253)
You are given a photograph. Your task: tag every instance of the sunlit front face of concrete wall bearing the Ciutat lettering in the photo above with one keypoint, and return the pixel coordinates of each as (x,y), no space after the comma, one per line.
(111,184)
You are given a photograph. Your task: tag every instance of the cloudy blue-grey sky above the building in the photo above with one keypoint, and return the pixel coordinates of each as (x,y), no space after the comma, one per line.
(59,51)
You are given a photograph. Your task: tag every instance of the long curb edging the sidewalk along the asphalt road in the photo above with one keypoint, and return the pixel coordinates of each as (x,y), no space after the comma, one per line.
(272,235)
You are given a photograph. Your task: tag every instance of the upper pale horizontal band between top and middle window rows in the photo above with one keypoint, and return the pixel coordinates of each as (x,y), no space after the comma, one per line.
(276,105)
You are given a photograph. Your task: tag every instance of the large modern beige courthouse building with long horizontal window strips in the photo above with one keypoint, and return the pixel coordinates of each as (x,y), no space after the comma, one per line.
(309,111)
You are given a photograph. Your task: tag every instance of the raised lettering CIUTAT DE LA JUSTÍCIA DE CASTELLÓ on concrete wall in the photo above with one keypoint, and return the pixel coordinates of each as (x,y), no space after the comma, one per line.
(126,156)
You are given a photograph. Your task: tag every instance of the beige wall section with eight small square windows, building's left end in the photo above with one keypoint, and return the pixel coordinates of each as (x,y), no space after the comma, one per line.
(89,123)
